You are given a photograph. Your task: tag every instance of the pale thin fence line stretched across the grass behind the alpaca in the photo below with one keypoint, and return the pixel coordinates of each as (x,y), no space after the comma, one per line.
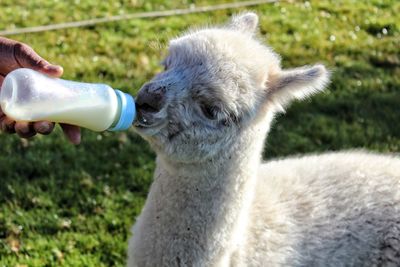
(140,15)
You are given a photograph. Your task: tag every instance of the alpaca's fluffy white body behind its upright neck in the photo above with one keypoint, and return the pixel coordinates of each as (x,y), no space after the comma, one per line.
(339,209)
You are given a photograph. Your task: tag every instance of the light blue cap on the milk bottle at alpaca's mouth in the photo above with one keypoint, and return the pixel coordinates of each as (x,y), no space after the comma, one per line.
(128,112)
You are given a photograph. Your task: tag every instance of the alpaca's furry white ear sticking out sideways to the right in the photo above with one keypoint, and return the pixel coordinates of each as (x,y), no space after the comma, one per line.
(298,83)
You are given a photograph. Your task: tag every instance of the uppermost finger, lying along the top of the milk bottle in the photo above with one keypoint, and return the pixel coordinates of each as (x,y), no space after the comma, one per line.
(28,58)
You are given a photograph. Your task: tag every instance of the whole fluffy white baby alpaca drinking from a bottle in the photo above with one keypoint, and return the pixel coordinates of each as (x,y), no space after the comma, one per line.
(213,202)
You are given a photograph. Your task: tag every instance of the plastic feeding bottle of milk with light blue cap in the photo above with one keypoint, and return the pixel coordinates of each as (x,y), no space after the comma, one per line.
(27,95)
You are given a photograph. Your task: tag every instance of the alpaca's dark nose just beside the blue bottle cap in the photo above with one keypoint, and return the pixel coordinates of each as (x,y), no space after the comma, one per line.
(151,98)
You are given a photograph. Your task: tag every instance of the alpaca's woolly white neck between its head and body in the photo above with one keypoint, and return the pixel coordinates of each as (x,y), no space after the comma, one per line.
(199,211)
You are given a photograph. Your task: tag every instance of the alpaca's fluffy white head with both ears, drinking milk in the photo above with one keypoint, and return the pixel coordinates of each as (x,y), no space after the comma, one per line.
(217,84)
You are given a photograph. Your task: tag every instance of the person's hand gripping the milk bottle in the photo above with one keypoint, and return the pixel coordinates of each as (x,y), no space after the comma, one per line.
(14,55)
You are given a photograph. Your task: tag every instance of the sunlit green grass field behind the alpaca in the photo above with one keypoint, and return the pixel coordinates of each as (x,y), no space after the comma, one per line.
(62,205)
